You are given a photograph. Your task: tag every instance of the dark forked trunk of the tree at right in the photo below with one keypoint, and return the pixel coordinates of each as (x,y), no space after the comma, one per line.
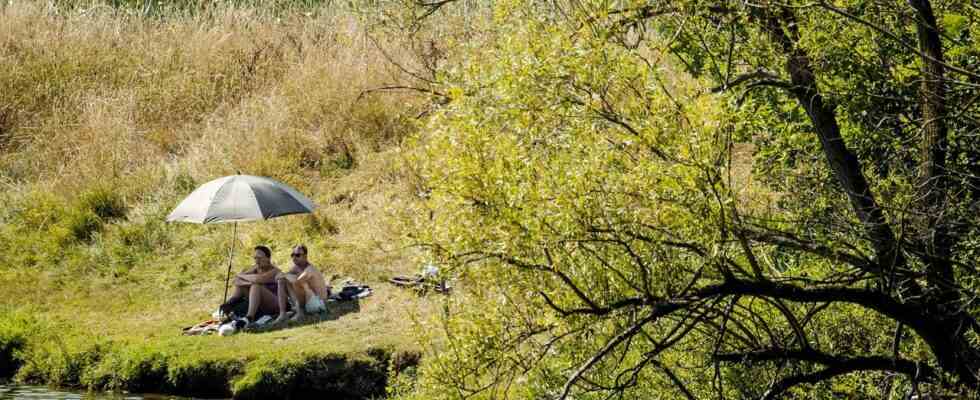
(938,322)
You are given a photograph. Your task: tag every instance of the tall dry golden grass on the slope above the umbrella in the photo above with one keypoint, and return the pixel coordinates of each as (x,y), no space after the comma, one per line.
(92,93)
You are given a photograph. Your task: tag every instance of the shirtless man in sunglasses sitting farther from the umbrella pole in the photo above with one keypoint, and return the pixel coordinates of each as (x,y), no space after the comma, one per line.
(304,284)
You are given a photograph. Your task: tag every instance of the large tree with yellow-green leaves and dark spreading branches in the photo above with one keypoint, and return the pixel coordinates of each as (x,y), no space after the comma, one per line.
(700,199)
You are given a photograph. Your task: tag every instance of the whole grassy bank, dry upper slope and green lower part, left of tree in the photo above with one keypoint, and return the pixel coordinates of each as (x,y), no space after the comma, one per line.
(108,117)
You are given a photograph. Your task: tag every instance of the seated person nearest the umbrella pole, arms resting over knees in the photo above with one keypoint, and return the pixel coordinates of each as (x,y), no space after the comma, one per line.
(258,285)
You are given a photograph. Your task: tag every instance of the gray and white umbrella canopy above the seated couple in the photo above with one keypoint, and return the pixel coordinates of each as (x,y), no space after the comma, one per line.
(240,198)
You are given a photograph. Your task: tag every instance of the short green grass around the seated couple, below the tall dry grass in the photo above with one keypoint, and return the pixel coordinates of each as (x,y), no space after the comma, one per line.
(109,327)
